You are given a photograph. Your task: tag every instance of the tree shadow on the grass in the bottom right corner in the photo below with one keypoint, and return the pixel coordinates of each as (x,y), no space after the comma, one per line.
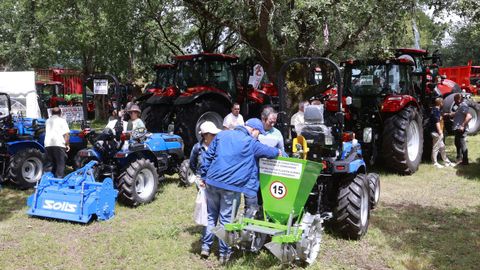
(446,239)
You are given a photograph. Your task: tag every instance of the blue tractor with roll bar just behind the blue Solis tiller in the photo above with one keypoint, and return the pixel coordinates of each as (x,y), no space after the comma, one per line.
(136,160)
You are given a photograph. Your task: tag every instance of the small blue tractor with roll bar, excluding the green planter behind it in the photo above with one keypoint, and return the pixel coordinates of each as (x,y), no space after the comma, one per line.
(343,188)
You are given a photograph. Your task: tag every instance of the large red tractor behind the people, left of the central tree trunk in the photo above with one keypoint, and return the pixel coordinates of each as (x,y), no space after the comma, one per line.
(204,88)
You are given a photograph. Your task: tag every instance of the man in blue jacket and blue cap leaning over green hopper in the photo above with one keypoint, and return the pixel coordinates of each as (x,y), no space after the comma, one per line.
(229,168)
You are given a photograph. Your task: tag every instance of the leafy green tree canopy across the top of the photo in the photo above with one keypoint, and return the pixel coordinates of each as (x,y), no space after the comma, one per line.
(127,37)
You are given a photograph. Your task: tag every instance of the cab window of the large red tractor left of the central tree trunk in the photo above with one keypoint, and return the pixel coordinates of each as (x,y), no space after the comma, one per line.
(218,74)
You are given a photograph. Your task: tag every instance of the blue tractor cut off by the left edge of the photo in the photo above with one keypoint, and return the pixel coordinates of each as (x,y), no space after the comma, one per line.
(22,152)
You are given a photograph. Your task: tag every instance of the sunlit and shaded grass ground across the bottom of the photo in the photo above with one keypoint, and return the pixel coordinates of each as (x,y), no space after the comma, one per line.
(430,220)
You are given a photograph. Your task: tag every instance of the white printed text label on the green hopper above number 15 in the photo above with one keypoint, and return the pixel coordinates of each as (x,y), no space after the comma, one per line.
(281,168)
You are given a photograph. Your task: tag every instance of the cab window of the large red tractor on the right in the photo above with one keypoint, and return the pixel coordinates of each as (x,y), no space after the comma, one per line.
(373,80)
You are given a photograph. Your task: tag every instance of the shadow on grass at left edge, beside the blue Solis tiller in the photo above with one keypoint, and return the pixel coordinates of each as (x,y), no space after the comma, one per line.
(12,200)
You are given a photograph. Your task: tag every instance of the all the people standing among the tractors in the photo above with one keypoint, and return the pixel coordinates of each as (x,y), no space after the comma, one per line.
(226,161)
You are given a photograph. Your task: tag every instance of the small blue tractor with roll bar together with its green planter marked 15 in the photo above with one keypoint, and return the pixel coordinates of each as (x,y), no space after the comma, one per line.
(325,184)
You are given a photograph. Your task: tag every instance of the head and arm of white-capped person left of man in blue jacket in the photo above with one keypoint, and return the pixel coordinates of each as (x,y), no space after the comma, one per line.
(208,130)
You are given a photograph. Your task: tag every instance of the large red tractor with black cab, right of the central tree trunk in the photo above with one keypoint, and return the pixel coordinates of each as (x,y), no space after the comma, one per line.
(390,105)
